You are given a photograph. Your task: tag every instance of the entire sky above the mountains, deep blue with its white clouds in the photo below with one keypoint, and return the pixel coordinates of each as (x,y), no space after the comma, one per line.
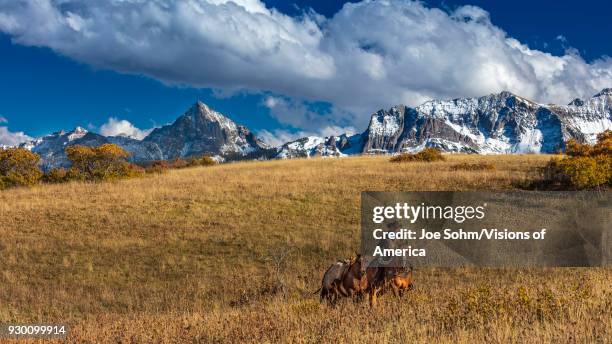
(74,70)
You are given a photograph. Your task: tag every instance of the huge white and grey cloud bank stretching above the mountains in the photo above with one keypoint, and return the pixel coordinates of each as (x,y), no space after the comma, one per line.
(369,55)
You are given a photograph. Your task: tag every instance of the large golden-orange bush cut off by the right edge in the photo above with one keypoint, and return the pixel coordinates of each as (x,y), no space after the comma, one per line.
(584,166)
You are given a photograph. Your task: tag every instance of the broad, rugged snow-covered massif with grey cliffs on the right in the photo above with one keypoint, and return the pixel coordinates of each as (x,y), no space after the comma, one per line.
(497,123)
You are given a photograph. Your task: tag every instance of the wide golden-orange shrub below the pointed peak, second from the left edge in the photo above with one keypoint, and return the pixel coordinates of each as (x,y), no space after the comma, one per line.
(105,162)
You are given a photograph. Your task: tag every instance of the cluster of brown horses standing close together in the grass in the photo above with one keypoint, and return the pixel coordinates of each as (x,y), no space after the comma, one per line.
(353,278)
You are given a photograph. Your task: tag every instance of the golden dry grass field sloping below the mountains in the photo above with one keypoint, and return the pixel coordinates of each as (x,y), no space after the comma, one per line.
(233,253)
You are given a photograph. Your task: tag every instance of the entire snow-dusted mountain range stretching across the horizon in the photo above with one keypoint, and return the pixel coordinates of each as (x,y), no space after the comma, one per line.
(496,123)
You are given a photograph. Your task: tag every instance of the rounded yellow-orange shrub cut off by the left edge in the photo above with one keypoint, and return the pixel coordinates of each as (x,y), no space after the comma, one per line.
(18,167)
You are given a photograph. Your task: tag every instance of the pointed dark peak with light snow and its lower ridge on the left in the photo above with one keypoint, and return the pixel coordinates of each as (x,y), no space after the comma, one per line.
(198,132)
